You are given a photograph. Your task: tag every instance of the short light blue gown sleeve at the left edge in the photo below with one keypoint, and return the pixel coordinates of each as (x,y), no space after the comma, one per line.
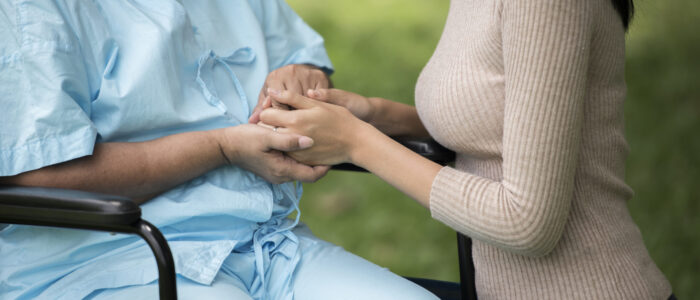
(45,92)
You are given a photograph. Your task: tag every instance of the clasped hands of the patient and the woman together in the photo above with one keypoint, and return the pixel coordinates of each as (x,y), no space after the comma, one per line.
(314,127)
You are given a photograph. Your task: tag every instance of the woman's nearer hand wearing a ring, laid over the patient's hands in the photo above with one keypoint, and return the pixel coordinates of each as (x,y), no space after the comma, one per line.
(335,131)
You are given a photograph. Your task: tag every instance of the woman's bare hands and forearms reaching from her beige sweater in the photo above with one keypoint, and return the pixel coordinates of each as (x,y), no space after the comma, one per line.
(347,127)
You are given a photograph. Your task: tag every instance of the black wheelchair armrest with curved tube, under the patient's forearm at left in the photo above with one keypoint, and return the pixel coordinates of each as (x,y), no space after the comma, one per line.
(92,211)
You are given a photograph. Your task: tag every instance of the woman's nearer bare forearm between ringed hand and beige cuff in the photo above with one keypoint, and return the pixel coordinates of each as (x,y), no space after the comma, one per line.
(402,168)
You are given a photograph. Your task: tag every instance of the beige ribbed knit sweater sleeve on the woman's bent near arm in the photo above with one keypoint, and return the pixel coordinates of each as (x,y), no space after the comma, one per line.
(546,47)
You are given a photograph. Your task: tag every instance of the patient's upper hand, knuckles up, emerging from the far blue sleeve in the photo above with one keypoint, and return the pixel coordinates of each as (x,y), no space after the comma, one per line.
(295,78)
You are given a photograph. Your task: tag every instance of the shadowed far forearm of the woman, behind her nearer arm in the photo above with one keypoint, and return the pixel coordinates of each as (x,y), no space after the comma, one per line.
(396,119)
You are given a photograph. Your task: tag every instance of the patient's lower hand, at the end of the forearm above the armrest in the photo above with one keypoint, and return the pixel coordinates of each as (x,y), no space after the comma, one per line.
(260,150)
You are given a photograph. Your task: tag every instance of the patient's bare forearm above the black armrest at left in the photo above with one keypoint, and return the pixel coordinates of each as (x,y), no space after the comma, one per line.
(138,170)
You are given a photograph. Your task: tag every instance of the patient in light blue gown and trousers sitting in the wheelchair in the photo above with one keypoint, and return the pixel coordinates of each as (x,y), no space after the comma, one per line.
(151,100)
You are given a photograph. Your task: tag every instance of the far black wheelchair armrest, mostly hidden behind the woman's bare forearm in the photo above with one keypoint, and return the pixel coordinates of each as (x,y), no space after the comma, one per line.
(426,147)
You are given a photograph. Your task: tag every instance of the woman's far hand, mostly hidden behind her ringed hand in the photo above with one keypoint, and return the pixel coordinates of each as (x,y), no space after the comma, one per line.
(360,106)
